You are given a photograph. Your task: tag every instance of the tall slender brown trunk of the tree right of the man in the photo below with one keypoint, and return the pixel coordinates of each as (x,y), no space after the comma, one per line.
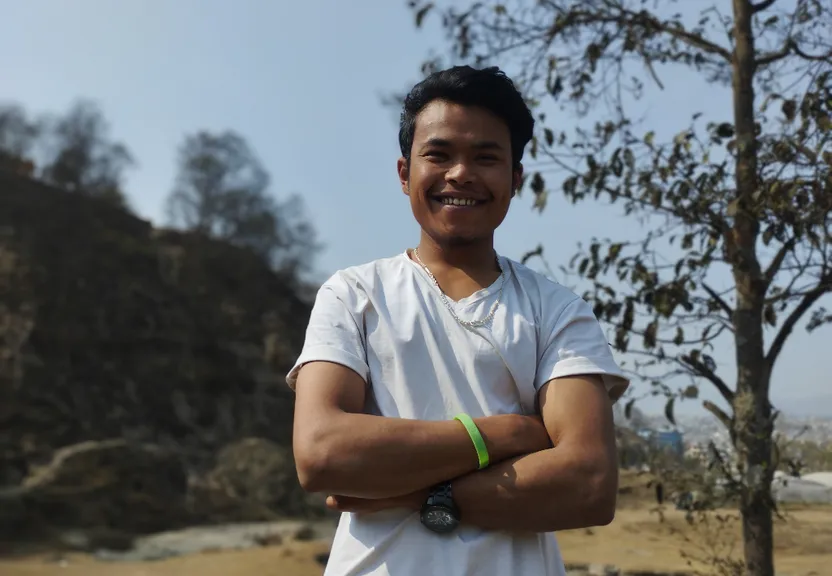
(752,411)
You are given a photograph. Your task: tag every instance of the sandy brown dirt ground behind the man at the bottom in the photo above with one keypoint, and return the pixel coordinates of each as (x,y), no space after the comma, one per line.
(636,540)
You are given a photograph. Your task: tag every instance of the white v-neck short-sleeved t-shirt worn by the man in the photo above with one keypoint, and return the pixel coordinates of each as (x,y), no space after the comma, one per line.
(386,321)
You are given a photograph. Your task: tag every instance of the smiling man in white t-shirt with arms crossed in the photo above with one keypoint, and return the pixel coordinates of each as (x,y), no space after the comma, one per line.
(454,404)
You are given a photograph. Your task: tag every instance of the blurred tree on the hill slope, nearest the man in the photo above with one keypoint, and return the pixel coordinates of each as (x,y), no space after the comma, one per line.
(222,190)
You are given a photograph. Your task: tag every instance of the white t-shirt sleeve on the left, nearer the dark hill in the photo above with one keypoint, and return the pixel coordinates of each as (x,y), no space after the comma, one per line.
(334,332)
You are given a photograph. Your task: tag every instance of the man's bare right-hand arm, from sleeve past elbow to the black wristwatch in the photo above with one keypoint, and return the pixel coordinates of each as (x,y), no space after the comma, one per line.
(572,485)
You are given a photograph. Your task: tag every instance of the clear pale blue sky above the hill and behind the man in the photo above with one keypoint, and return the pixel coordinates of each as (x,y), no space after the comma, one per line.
(302,81)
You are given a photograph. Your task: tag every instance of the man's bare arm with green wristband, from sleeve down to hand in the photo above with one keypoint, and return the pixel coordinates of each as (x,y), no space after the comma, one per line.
(340,450)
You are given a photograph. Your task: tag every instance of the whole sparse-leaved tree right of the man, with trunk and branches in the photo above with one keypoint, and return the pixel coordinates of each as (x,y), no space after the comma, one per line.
(751,195)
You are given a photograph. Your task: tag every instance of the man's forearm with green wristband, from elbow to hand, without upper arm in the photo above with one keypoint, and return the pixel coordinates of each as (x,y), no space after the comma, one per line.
(376,457)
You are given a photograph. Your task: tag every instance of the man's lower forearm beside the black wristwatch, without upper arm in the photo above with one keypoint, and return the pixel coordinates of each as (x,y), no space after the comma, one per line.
(546,491)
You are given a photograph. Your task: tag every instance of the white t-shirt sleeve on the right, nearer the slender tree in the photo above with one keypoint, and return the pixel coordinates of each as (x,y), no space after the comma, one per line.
(574,344)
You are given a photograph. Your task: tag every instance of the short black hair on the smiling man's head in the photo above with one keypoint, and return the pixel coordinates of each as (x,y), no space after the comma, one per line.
(488,88)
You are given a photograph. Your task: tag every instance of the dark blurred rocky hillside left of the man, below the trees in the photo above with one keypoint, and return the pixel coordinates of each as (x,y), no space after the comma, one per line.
(141,371)
